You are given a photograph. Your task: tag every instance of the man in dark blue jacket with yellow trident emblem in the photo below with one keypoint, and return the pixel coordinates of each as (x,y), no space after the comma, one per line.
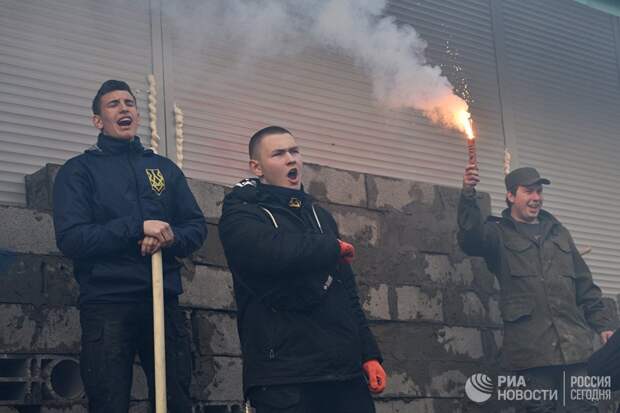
(114,206)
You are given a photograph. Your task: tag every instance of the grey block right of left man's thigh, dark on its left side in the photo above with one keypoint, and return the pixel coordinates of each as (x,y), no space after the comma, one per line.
(216,333)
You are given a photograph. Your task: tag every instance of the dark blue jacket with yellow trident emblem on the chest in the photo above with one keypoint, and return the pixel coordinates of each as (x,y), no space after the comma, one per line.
(101,199)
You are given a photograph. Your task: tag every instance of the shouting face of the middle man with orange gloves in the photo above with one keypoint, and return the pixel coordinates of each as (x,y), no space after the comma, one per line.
(278,161)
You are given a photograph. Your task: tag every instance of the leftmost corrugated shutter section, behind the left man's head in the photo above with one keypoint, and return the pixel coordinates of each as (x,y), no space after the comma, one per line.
(53,57)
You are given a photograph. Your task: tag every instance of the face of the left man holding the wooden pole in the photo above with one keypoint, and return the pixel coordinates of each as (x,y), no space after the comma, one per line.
(119,116)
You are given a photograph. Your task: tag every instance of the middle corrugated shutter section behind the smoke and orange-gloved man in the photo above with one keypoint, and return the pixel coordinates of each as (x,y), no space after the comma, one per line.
(326,101)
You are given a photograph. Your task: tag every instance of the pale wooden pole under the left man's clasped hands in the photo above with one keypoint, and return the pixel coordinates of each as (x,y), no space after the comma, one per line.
(159,334)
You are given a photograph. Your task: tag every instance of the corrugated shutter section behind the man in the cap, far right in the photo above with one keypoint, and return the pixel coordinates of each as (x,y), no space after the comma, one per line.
(565,80)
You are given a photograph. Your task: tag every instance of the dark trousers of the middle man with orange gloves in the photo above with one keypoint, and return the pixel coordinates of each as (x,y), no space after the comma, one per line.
(351,396)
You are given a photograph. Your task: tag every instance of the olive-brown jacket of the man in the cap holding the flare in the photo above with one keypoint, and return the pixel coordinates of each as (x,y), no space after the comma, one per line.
(548,301)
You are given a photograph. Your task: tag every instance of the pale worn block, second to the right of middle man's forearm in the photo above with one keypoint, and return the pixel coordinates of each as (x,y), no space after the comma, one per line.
(413,303)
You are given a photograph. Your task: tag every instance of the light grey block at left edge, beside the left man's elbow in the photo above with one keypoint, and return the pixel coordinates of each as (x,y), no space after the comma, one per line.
(26,231)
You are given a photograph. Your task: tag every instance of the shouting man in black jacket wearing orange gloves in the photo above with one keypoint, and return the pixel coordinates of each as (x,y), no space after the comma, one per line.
(304,337)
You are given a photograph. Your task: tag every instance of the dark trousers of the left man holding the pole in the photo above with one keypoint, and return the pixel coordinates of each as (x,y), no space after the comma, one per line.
(112,335)
